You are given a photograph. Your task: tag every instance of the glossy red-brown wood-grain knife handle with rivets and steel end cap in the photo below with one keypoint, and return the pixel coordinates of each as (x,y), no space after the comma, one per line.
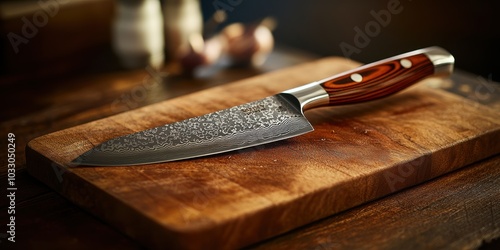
(386,77)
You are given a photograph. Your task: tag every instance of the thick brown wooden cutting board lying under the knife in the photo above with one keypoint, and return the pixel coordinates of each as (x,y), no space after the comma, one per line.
(356,154)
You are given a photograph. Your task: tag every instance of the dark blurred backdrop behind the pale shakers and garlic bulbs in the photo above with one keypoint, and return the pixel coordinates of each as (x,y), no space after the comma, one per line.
(75,37)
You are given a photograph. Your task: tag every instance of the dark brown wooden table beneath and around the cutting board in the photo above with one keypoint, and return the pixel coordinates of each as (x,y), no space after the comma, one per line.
(458,210)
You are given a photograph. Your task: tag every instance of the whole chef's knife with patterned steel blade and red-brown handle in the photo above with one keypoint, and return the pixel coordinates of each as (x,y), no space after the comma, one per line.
(271,119)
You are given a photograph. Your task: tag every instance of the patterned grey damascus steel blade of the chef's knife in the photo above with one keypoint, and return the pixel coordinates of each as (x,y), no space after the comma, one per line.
(271,119)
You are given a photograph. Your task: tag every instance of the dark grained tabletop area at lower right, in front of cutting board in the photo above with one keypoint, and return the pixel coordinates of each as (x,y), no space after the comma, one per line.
(445,213)
